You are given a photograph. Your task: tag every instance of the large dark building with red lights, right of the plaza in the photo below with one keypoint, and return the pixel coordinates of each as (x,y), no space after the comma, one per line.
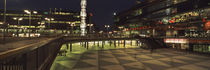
(171,19)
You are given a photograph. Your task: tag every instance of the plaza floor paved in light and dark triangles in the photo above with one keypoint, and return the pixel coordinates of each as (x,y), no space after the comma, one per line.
(131,59)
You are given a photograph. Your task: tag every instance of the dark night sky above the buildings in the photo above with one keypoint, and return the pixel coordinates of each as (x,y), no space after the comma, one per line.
(102,9)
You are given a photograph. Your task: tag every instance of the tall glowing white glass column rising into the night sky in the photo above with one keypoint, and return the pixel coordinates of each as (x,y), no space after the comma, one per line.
(83,15)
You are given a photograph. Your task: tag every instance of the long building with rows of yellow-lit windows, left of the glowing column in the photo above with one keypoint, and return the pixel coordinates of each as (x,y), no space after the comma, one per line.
(61,23)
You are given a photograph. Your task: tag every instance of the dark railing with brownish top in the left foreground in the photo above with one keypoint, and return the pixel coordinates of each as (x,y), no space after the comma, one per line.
(36,56)
